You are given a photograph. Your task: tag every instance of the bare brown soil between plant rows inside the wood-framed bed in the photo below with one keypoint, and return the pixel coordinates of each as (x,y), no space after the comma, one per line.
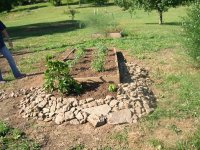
(82,70)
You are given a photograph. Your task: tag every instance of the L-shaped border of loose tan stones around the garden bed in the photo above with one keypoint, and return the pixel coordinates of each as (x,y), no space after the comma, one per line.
(134,99)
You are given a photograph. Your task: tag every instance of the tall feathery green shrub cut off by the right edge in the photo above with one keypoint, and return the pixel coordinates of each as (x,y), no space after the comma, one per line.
(191,28)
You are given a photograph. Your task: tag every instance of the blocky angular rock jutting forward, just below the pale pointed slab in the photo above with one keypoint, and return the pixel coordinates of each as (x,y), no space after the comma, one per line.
(97,121)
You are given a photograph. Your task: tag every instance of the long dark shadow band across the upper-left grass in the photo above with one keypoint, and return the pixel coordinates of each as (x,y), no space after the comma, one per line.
(40,29)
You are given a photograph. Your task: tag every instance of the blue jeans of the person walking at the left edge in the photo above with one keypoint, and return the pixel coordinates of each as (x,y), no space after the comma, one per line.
(6,53)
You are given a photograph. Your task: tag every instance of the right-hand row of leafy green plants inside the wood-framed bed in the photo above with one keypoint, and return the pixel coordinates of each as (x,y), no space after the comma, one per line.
(99,58)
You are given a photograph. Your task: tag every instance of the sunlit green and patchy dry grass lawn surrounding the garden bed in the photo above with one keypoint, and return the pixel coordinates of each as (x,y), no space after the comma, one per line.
(175,122)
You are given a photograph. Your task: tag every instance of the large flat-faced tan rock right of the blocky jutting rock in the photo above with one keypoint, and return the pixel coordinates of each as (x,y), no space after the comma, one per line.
(120,117)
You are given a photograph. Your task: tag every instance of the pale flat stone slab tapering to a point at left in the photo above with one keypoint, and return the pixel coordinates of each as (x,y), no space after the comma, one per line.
(98,110)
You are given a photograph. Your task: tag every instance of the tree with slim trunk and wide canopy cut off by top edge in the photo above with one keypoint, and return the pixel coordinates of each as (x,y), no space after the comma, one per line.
(148,5)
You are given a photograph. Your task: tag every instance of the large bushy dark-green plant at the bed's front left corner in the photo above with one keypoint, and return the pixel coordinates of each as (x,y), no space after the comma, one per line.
(57,77)
